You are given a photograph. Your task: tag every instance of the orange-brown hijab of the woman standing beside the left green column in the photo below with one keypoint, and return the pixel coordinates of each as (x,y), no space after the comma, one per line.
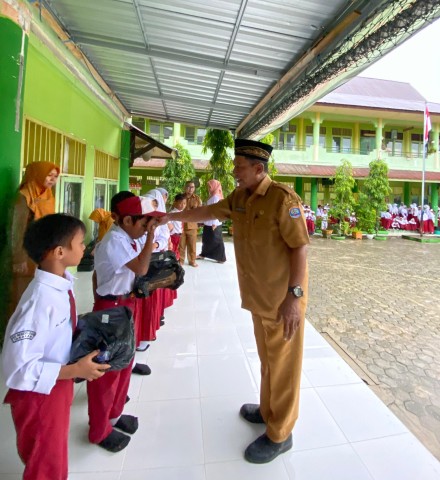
(39,199)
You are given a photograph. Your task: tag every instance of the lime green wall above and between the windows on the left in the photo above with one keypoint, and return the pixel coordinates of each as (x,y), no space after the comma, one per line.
(54,97)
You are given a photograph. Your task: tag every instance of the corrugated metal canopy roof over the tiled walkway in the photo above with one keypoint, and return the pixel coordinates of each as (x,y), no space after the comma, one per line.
(212,62)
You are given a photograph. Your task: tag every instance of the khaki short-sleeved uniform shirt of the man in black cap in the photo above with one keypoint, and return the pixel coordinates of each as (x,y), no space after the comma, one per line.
(267,225)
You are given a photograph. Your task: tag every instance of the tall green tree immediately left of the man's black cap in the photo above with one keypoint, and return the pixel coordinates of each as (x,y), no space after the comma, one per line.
(220,164)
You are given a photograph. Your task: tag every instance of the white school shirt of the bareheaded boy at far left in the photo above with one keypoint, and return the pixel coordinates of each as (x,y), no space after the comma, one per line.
(38,337)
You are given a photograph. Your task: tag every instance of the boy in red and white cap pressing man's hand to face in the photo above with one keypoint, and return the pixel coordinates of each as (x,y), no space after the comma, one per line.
(118,258)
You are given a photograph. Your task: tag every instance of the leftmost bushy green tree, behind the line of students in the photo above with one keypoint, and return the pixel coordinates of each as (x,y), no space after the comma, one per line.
(177,172)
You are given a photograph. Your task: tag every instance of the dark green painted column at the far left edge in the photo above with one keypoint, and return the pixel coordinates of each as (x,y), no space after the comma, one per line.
(12,67)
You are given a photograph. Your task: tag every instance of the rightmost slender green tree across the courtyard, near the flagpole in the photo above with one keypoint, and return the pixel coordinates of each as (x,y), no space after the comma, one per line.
(376,187)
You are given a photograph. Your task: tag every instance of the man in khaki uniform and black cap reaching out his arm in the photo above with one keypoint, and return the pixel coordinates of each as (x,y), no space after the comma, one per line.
(270,240)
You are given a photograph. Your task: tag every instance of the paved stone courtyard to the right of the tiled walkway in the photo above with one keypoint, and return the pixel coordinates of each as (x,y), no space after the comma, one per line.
(379,302)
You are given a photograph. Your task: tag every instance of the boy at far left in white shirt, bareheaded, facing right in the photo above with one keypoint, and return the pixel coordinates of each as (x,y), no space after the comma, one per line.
(37,349)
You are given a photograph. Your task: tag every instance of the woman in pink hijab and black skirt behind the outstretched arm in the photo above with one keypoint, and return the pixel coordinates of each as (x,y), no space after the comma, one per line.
(212,239)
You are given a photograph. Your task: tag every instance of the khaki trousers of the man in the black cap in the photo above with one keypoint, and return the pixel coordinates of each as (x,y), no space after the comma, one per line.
(281,363)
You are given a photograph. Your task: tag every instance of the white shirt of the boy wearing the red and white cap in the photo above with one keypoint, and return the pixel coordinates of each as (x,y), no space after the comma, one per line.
(112,253)
